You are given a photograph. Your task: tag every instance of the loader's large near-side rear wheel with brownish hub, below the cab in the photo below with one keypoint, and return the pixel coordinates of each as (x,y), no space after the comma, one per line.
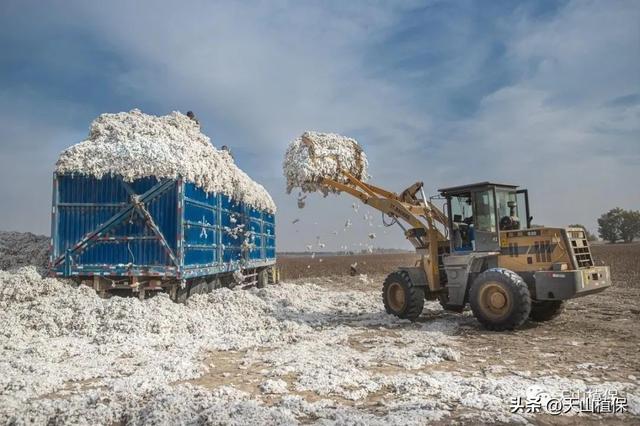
(500,299)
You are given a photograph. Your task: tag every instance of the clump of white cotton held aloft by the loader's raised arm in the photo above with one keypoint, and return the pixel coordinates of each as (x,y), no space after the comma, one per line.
(315,155)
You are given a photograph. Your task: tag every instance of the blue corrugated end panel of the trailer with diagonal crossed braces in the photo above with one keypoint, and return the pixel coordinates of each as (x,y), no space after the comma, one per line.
(98,229)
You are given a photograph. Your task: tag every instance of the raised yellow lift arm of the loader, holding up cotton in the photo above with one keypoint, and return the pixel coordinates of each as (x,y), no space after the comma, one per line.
(419,213)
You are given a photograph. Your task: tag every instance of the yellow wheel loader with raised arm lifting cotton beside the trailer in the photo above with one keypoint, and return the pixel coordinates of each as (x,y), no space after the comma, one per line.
(483,252)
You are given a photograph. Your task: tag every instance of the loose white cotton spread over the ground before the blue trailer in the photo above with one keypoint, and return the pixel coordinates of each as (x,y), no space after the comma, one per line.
(303,351)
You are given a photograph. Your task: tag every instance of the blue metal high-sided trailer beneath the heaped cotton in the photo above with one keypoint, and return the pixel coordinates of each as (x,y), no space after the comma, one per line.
(157,234)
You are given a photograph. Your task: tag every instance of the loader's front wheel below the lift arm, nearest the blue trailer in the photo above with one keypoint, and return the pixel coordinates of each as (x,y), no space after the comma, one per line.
(401,298)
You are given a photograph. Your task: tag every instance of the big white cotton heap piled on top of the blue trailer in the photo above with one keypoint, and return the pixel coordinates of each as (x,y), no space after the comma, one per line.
(135,145)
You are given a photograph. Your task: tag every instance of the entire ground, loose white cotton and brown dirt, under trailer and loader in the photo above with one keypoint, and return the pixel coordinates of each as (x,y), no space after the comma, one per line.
(318,349)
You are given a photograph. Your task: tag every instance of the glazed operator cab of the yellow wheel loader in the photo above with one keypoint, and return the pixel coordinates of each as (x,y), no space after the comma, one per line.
(479,212)
